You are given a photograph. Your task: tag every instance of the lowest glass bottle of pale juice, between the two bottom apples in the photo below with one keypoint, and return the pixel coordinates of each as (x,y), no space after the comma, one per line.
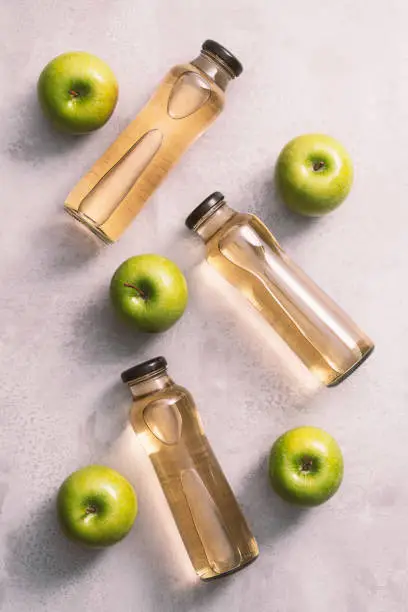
(210,521)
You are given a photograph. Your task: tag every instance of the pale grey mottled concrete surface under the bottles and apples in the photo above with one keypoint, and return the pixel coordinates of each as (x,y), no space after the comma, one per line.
(335,67)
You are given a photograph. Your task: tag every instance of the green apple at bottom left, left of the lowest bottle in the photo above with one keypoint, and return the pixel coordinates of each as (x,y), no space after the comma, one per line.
(96,506)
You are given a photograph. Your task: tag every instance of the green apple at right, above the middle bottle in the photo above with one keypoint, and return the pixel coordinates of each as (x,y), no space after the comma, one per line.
(314,174)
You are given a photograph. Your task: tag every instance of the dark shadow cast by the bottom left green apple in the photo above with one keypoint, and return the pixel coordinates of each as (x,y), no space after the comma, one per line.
(39,555)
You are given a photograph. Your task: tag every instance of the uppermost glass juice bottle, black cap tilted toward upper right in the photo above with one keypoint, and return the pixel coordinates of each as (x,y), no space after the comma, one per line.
(185,104)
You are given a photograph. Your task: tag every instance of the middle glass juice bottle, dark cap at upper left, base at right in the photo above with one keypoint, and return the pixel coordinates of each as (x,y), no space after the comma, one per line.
(245,252)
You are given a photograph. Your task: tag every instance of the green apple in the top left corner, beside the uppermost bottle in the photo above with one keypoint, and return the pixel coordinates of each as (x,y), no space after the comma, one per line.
(77,92)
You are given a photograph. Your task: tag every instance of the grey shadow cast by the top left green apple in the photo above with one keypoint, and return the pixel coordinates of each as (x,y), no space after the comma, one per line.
(34,139)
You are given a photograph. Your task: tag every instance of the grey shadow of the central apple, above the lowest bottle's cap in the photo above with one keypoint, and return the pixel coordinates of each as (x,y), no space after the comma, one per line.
(103,336)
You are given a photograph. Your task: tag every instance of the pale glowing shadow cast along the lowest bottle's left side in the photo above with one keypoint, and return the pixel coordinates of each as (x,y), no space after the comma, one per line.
(165,559)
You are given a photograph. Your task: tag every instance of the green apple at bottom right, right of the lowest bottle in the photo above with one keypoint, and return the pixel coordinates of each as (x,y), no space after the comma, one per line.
(306,466)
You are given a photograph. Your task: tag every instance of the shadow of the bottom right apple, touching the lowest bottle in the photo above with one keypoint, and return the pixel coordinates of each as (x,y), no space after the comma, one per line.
(268,515)
